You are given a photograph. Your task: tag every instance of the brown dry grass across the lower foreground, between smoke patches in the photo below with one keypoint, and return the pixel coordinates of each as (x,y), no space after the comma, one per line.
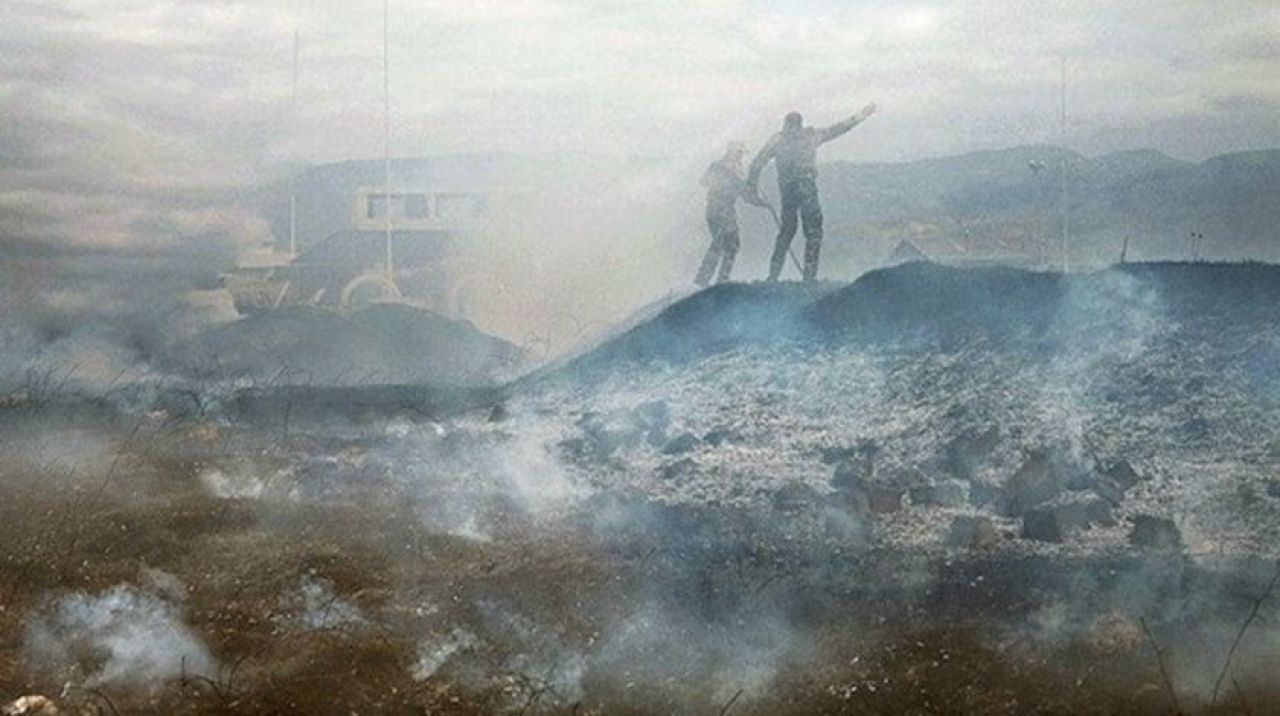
(241,559)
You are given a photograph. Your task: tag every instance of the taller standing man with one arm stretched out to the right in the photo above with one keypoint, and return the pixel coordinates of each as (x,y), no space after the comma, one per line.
(796,152)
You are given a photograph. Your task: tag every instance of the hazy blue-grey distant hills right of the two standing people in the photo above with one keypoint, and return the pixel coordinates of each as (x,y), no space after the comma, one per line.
(1008,204)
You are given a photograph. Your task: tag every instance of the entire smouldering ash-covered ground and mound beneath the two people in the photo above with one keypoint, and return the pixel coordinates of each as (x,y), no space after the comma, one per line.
(934,490)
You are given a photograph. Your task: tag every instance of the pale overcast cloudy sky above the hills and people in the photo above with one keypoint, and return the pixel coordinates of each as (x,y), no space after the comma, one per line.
(132,122)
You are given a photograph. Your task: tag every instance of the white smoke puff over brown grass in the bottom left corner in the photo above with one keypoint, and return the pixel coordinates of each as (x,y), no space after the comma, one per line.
(122,637)
